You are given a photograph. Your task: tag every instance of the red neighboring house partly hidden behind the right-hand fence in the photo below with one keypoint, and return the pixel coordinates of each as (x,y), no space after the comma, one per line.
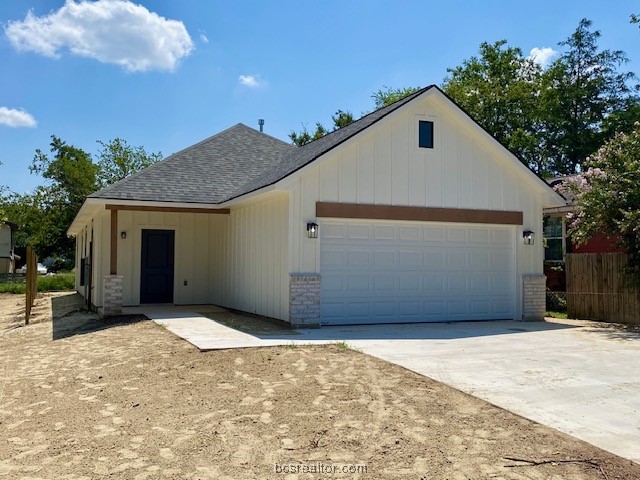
(558,243)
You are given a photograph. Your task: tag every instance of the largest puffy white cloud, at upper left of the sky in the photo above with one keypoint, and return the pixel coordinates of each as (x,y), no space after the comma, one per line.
(111,31)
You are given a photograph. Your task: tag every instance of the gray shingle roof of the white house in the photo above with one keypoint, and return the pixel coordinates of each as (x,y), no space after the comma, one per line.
(232,163)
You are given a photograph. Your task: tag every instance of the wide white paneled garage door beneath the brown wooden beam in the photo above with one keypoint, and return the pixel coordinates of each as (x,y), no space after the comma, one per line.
(397,272)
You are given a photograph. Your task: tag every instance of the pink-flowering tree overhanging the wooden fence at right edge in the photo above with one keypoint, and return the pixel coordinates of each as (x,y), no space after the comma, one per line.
(607,197)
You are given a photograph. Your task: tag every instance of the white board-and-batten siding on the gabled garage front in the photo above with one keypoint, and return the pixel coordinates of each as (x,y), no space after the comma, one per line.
(384,166)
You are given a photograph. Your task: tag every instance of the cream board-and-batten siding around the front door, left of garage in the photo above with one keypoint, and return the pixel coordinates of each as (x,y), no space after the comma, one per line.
(237,260)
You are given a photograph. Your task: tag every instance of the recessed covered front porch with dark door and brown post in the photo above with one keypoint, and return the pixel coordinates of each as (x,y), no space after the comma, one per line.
(132,253)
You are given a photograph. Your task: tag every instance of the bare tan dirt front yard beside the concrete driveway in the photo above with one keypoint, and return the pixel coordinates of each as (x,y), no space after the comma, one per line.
(82,398)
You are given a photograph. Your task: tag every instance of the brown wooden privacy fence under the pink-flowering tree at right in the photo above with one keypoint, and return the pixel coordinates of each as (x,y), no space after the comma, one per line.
(596,289)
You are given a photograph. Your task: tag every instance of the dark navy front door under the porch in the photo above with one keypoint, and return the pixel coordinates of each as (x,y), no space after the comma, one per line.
(156,282)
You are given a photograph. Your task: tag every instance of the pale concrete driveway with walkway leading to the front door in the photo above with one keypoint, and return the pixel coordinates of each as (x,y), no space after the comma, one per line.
(578,377)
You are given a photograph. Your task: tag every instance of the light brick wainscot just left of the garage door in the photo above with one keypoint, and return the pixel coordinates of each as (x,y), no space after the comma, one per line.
(304,300)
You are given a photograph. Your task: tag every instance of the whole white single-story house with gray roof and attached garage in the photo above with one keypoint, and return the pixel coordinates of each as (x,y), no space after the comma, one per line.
(413,213)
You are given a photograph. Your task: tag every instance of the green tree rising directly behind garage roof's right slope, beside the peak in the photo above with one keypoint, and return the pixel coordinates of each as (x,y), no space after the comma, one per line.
(498,88)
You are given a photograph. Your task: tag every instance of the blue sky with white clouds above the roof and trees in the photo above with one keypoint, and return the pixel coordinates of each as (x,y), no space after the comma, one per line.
(165,74)
